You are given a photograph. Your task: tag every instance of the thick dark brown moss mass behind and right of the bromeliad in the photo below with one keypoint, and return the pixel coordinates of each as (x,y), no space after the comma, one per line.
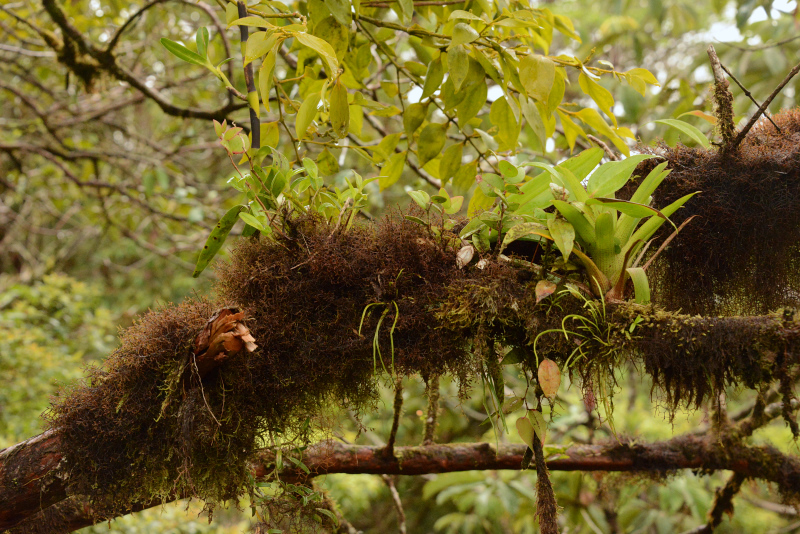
(742,254)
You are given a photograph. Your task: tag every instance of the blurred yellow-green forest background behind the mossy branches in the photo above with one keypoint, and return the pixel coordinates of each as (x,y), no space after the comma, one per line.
(107,194)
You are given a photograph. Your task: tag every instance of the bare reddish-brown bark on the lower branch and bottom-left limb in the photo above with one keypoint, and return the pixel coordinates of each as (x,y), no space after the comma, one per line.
(709,453)
